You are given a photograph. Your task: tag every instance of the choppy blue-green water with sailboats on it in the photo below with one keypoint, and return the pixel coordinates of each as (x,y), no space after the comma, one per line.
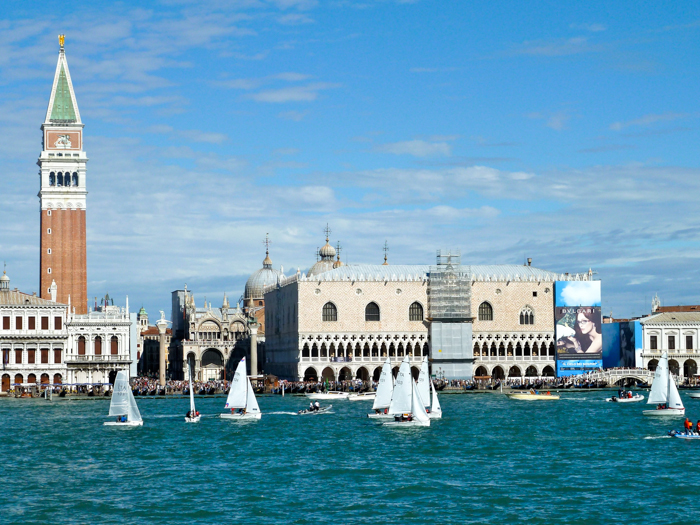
(490,459)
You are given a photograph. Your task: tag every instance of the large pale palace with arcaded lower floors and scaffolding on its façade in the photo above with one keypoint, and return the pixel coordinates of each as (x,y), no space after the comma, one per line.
(343,322)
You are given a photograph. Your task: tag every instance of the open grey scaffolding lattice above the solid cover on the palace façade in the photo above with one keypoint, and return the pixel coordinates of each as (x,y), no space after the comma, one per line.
(449,291)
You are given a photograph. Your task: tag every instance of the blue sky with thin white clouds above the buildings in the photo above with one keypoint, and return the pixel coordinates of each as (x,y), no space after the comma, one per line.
(562,131)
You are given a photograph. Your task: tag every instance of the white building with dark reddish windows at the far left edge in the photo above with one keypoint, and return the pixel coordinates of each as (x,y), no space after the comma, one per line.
(33,337)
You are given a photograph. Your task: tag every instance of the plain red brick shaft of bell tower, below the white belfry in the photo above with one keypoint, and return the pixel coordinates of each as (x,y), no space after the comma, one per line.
(68,258)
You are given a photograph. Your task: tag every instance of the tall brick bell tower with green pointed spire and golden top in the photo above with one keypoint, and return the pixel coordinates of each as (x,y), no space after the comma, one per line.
(63,194)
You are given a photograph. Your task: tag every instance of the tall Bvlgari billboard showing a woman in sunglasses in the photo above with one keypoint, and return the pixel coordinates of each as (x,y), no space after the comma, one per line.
(578,327)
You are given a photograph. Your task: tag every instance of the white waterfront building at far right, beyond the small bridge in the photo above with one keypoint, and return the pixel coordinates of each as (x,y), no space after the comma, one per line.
(676,333)
